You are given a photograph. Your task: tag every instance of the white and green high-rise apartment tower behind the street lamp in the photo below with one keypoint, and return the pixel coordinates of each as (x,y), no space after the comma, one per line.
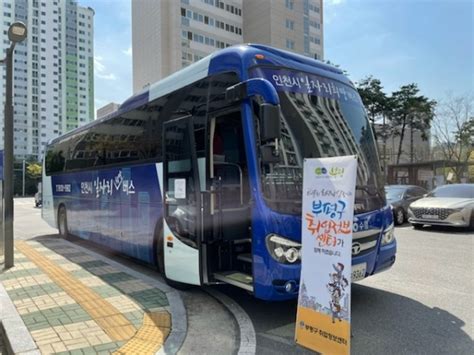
(53,74)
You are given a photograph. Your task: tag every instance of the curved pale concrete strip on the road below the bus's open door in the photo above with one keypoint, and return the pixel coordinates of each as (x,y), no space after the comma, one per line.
(248,338)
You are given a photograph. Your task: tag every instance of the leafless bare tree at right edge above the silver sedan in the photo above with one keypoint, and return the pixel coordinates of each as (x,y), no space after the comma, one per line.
(453,130)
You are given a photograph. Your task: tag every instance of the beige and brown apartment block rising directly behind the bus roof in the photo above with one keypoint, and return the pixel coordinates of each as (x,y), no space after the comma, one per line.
(169,35)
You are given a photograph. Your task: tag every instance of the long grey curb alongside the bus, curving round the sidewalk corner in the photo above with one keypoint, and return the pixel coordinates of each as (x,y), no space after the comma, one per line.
(179,321)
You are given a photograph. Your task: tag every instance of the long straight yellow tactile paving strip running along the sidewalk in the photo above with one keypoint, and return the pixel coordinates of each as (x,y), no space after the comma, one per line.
(115,325)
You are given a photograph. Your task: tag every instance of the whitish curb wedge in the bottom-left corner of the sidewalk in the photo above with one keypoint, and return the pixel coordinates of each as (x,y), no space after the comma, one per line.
(18,339)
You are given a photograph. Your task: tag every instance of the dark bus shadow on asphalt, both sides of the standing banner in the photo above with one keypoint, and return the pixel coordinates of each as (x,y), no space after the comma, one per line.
(382,323)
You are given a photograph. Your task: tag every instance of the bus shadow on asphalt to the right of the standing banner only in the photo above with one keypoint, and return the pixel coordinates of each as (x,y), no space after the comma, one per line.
(385,322)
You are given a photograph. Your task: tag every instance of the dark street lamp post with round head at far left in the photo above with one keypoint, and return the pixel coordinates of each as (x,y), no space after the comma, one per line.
(16,33)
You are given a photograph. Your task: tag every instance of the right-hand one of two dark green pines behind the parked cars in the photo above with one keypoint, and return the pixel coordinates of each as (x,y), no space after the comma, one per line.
(410,110)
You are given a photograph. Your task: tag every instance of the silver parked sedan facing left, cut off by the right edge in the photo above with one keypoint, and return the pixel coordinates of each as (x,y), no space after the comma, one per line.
(447,205)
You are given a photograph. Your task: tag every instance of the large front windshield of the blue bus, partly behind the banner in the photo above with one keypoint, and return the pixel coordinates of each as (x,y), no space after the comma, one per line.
(319,118)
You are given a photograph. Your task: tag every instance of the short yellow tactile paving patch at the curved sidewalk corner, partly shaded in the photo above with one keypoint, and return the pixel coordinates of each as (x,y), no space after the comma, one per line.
(150,337)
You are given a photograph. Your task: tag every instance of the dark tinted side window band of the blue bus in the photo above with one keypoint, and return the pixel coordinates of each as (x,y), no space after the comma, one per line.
(131,137)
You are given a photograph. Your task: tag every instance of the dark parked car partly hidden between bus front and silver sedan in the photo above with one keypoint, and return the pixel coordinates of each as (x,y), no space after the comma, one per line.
(400,197)
